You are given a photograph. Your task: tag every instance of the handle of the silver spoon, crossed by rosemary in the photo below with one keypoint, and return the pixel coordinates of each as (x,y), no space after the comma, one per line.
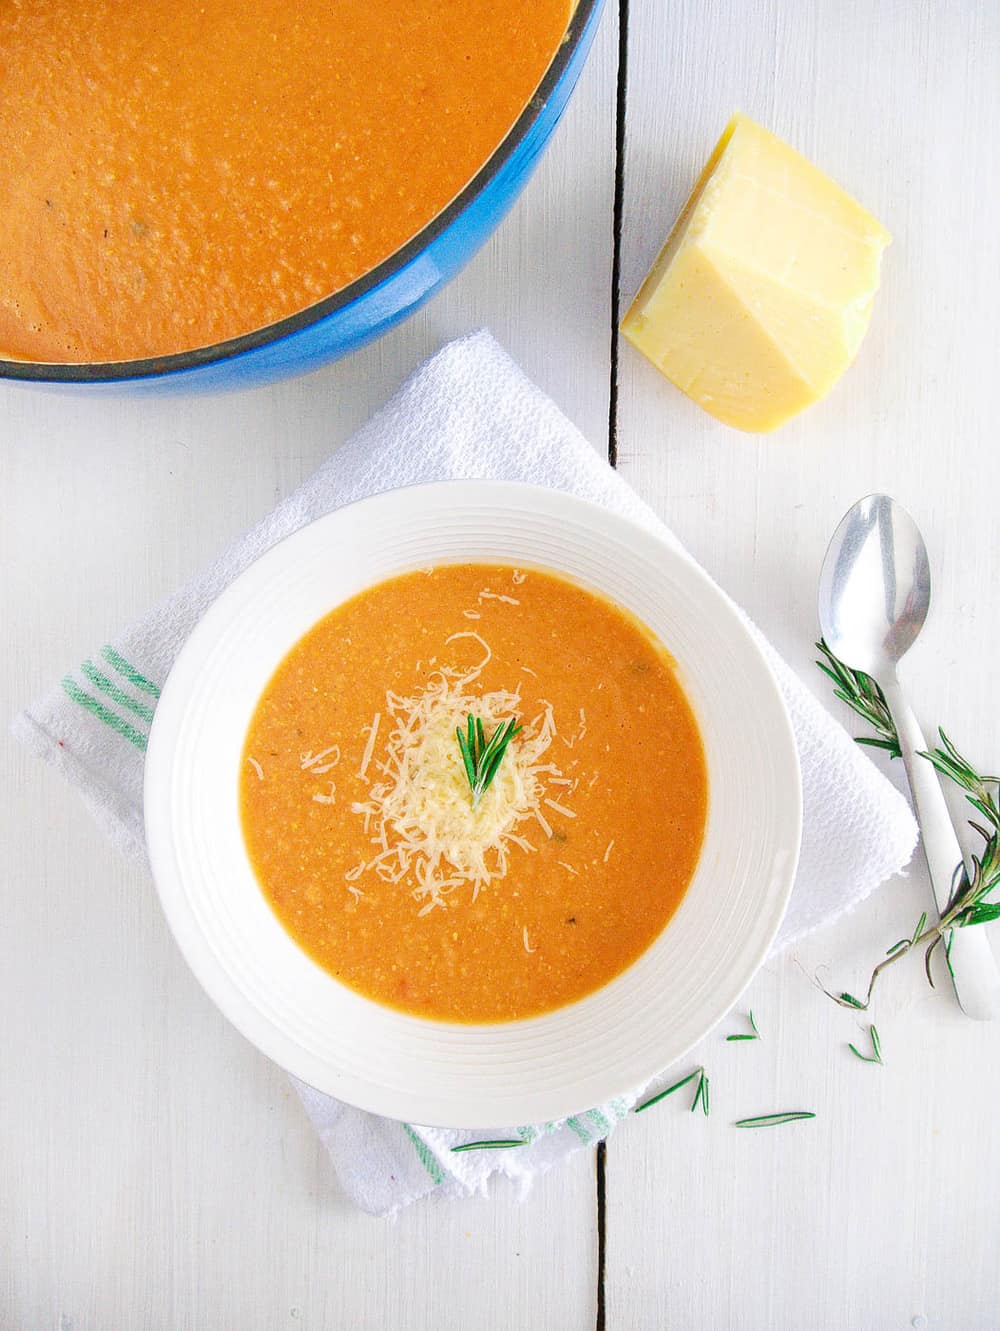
(973,963)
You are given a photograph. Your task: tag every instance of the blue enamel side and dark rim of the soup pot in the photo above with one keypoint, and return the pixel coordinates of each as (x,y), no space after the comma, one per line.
(381,299)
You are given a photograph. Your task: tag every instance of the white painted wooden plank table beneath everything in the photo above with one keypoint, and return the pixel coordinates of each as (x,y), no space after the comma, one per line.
(156,1175)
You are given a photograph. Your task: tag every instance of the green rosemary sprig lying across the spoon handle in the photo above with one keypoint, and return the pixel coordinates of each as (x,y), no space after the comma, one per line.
(969,904)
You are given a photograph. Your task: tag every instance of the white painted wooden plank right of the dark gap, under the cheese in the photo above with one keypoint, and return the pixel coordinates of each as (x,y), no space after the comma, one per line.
(883,1209)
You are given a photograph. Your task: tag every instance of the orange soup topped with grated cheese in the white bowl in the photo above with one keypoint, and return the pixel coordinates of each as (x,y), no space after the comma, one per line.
(359,817)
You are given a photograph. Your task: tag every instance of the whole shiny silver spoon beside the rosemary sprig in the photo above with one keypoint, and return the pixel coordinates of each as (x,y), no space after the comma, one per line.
(874,594)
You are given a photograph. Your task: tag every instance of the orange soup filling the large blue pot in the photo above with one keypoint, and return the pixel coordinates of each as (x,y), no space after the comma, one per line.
(176,175)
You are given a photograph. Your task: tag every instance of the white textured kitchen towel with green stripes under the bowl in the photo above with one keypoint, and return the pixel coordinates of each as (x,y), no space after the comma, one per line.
(468,413)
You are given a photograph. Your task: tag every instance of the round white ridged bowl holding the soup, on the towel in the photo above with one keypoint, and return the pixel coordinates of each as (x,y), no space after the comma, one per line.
(409,1068)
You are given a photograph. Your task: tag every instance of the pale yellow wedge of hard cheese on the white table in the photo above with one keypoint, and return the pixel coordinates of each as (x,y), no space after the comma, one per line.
(762,295)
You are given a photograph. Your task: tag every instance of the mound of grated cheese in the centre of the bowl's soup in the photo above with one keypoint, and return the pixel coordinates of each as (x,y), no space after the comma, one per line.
(424,830)
